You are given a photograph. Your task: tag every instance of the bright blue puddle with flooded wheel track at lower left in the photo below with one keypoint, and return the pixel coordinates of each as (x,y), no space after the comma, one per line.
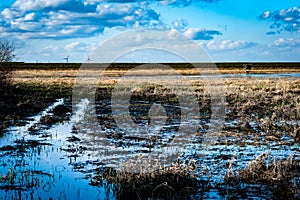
(34,166)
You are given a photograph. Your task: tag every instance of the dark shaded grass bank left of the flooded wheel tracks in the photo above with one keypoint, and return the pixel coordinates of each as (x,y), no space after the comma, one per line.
(23,99)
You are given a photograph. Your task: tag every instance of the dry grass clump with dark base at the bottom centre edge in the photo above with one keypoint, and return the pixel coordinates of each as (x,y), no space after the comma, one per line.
(142,178)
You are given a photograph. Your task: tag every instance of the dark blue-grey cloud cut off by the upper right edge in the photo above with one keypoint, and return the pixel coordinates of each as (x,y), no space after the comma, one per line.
(286,19)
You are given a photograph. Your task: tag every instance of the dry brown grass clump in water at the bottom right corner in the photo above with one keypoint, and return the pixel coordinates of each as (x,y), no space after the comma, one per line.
(268,170)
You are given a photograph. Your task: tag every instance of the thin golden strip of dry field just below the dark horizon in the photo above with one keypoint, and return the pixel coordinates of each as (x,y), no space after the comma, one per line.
(67,76)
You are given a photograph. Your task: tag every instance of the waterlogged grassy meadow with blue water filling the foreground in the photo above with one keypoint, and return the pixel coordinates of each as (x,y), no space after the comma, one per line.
(59,151)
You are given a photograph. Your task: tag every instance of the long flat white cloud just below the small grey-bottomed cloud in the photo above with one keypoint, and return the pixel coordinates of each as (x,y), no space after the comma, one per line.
(229,45)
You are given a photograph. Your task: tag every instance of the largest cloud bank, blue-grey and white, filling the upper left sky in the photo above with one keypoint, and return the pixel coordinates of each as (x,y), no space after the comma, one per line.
(60,19)
